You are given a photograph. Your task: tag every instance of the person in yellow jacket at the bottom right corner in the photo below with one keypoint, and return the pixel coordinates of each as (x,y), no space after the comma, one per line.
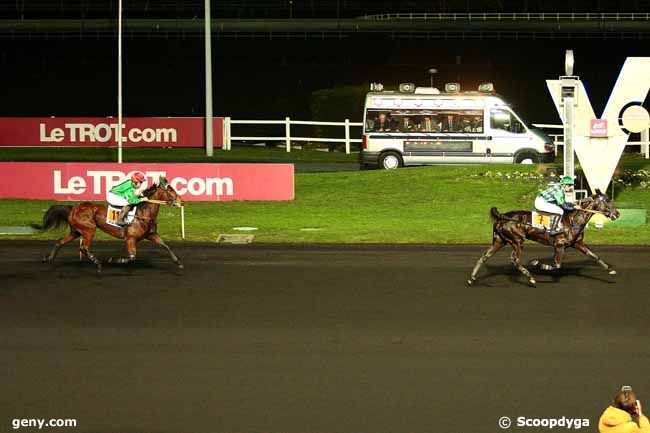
(624,415)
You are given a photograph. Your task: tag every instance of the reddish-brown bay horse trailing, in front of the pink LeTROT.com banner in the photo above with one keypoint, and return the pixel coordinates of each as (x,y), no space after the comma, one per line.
(85,218)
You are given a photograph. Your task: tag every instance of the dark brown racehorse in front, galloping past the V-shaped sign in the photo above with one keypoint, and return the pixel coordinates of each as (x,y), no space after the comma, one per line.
(514,227)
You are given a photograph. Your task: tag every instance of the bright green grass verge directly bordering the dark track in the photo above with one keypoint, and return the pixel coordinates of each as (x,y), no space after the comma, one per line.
(437,204)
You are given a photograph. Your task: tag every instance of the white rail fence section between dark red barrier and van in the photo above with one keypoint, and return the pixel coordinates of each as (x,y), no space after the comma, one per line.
(287,137)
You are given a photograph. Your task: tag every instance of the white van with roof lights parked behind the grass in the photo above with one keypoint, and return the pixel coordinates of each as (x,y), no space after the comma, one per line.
(417,126)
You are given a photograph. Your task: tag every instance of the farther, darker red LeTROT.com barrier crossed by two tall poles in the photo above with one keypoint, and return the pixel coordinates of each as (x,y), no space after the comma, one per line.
(102,131)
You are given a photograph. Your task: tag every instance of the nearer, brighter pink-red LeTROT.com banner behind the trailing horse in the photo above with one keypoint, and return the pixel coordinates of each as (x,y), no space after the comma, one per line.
(194,182)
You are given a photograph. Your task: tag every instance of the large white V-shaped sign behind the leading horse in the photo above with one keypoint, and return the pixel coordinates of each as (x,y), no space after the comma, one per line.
(599,156)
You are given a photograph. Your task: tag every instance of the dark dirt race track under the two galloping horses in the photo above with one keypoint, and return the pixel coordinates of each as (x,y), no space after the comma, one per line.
(296,339)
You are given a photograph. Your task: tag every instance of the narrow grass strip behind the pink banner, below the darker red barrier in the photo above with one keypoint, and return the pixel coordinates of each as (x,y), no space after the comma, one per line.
(237,154)
